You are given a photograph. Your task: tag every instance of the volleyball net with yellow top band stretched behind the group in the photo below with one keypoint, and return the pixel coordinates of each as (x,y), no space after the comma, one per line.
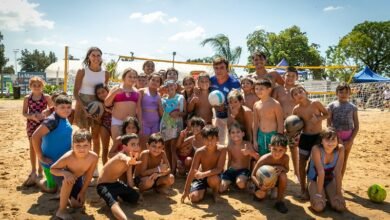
(364,95)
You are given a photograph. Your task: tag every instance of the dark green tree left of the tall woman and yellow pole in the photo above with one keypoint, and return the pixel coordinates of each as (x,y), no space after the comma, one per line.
(36,61)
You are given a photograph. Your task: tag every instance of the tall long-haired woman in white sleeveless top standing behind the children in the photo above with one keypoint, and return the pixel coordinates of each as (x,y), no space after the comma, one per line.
(84,92)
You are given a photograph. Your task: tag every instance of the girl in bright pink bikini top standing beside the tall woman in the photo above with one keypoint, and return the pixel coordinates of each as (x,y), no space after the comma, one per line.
(125,100)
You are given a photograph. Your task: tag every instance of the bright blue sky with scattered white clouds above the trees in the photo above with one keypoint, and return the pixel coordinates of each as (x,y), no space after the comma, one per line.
(156,28)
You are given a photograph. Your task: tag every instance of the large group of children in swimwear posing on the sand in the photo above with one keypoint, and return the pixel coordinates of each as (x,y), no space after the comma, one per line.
(160,130)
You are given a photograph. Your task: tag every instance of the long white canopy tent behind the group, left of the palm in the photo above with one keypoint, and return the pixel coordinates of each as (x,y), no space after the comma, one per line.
(56,69)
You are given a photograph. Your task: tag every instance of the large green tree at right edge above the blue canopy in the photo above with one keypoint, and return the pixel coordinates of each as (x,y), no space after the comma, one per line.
(368,43)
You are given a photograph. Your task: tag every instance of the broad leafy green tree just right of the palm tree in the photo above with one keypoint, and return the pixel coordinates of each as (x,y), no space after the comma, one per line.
(291,44)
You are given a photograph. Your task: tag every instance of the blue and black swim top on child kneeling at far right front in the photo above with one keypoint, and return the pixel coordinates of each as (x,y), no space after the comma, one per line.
(329,168)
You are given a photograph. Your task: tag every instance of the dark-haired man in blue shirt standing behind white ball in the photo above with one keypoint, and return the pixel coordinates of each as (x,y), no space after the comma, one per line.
(224,82)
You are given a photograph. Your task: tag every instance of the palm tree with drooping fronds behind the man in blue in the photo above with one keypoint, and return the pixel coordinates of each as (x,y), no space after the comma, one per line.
(221,45)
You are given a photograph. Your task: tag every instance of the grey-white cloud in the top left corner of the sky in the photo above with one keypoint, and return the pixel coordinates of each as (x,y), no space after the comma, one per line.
(16,15)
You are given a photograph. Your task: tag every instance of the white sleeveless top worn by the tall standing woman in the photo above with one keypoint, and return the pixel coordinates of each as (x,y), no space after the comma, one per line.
(90,80)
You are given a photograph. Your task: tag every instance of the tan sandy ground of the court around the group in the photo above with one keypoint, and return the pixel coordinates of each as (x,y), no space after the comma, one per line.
(369,163)
